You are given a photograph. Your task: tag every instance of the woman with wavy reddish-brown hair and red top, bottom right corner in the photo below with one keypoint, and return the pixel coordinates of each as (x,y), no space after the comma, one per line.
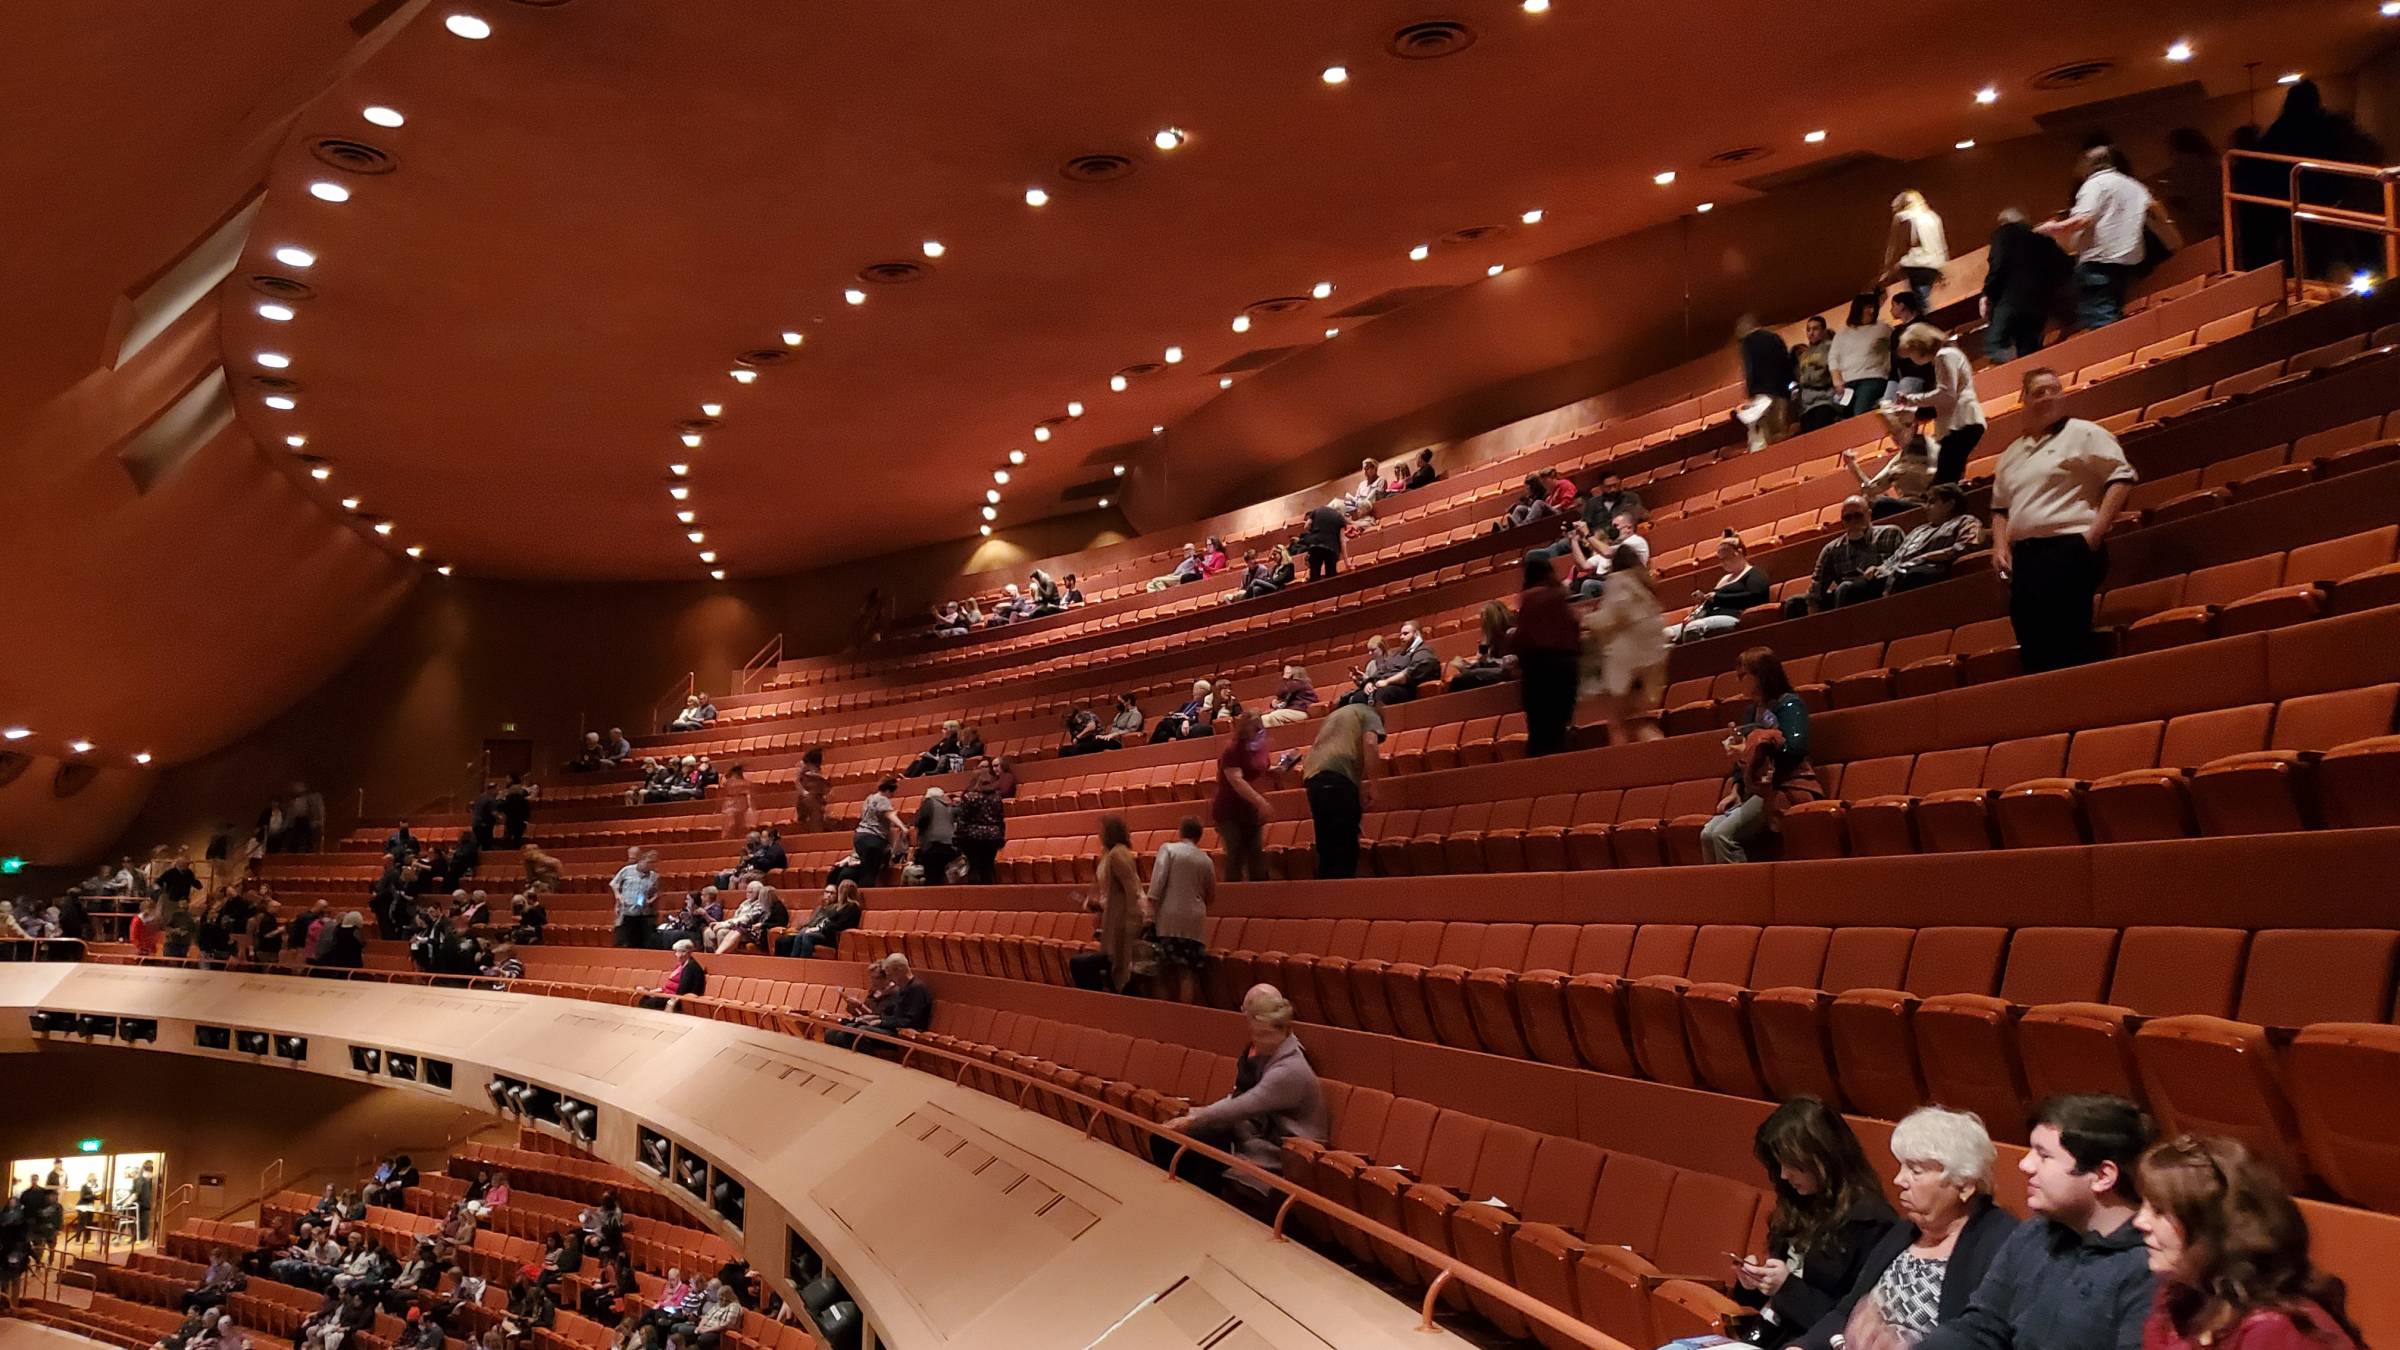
(2231,1255)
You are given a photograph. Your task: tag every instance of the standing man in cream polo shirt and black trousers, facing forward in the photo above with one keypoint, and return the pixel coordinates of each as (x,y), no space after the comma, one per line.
(2053,501)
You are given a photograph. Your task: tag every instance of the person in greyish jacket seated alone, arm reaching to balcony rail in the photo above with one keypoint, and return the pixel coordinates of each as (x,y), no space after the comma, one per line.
(1276,1097)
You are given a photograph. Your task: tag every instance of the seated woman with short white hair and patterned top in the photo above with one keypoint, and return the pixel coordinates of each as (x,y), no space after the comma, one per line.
(1926,1272)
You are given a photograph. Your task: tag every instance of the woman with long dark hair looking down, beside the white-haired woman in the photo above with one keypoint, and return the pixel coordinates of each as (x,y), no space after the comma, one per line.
(1830,1214)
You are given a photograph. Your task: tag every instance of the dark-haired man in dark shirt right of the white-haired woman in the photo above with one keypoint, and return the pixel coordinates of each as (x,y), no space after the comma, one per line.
(2075,1277)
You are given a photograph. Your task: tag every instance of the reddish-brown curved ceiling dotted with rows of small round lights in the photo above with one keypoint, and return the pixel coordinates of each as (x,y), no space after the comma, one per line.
(596,210)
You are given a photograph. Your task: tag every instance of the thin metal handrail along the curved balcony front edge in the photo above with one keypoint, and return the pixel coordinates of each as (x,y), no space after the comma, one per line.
(815,1027)
